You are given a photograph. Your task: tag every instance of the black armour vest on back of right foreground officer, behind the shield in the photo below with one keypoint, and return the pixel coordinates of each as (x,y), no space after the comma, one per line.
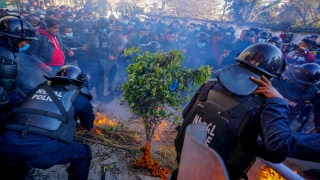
(225,119)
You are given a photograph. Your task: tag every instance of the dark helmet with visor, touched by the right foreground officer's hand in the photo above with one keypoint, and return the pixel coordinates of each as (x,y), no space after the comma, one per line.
(255,61)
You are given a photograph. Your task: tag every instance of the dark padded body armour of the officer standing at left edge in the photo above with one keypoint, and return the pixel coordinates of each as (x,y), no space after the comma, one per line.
(8,70)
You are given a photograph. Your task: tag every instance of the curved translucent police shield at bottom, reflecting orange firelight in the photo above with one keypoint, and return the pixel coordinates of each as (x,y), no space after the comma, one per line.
(198,161)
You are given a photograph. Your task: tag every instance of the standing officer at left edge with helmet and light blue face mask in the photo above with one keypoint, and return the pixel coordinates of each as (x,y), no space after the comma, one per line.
(15,36)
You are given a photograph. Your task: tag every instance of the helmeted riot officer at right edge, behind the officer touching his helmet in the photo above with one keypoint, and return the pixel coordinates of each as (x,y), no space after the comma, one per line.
(298,86)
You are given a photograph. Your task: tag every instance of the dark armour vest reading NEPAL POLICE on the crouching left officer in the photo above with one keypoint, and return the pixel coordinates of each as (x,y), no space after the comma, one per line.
(47,110)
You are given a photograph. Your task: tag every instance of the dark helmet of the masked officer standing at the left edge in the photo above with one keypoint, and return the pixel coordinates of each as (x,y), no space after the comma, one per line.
(16,27)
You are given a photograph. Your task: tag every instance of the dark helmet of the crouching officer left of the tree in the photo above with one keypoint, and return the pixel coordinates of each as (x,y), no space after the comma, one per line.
(69,74)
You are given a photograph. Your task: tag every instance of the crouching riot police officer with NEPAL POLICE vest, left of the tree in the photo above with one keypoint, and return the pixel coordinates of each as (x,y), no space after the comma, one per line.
(39,132)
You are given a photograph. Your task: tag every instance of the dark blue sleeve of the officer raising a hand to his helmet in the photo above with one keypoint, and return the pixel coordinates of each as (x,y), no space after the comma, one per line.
(277,133)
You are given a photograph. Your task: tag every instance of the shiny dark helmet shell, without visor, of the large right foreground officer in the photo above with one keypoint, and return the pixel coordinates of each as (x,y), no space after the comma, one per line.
(264,58)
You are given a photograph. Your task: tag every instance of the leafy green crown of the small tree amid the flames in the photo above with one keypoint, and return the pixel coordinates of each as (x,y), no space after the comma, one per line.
(150,79)
